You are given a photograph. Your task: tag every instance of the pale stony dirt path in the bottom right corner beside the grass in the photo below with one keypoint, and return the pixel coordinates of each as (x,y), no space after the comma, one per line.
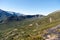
(53,33)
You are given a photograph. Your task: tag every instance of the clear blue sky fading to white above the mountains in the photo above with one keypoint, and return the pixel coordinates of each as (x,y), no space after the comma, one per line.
(30,7)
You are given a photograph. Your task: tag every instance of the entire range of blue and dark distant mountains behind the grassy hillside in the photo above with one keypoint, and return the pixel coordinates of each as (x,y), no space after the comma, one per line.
(6,16)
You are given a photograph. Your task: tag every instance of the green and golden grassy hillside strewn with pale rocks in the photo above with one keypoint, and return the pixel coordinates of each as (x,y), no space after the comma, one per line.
(30,28)
